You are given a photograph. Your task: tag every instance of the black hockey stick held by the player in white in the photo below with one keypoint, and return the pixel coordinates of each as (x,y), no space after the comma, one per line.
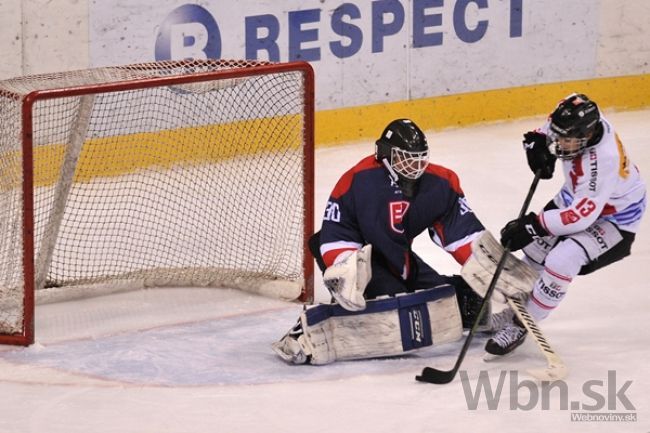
(433,375)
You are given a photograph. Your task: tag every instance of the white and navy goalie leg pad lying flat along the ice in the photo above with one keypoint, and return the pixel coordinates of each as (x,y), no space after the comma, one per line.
(387,327)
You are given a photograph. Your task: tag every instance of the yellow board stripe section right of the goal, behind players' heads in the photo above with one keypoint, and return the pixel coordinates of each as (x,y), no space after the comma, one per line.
(366,122)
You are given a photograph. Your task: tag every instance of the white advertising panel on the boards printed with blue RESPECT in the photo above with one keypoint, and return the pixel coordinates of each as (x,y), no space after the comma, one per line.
(365,52)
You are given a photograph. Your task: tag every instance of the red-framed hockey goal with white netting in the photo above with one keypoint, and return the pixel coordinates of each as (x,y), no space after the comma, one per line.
(188,173)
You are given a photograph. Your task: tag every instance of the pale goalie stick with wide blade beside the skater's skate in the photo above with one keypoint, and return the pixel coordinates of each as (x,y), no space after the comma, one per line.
(555,369)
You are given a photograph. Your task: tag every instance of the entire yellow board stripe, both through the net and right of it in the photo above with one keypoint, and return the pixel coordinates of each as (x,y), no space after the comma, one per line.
(127,153)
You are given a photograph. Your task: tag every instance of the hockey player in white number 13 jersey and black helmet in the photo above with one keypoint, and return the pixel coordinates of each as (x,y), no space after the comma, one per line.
(589,224)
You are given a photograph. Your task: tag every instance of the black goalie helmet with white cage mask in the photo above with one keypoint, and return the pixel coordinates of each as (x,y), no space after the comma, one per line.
(403,149)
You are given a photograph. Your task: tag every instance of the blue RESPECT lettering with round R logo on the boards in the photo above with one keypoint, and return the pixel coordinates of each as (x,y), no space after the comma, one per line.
(191,31)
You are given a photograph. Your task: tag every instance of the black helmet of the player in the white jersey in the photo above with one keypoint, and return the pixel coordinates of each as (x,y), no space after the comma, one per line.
(574,125)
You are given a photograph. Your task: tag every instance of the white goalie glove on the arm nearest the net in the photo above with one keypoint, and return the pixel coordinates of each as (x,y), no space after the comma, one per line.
(348,277)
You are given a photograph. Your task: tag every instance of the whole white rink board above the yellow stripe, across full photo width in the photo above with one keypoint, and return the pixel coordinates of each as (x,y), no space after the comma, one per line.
(560,41)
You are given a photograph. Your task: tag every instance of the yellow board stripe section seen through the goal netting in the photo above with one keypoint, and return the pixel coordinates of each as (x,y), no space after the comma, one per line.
(117,155)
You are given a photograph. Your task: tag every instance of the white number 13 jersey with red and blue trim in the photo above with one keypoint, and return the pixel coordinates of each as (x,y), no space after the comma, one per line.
(600,183)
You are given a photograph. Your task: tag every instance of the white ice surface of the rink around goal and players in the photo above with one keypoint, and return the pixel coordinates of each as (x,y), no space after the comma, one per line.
(198,360)
